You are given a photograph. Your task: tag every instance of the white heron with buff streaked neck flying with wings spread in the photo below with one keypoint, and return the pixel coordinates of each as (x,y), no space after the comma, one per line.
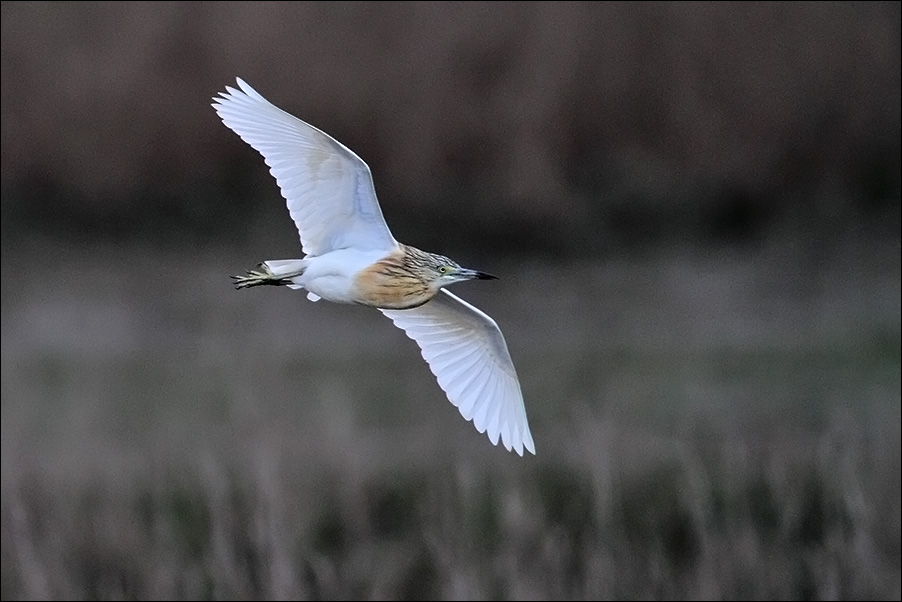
(350,256)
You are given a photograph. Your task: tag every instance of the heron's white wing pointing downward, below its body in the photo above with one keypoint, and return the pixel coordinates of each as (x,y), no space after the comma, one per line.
(467,353)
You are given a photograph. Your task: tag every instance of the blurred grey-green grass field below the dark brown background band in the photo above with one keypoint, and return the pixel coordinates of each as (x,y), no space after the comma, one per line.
(709,424)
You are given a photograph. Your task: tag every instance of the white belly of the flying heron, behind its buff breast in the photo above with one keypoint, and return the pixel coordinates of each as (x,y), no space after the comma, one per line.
(331,276)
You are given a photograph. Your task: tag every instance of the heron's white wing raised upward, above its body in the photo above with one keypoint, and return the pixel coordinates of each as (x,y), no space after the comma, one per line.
(329,189)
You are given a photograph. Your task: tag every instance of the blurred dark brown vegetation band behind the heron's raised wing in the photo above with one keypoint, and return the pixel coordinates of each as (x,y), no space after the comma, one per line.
(625,123)
